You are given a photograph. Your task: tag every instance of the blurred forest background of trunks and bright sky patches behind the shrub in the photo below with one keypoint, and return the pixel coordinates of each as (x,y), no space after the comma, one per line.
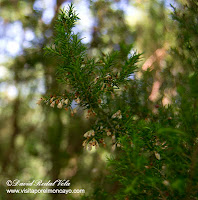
(45,143)
